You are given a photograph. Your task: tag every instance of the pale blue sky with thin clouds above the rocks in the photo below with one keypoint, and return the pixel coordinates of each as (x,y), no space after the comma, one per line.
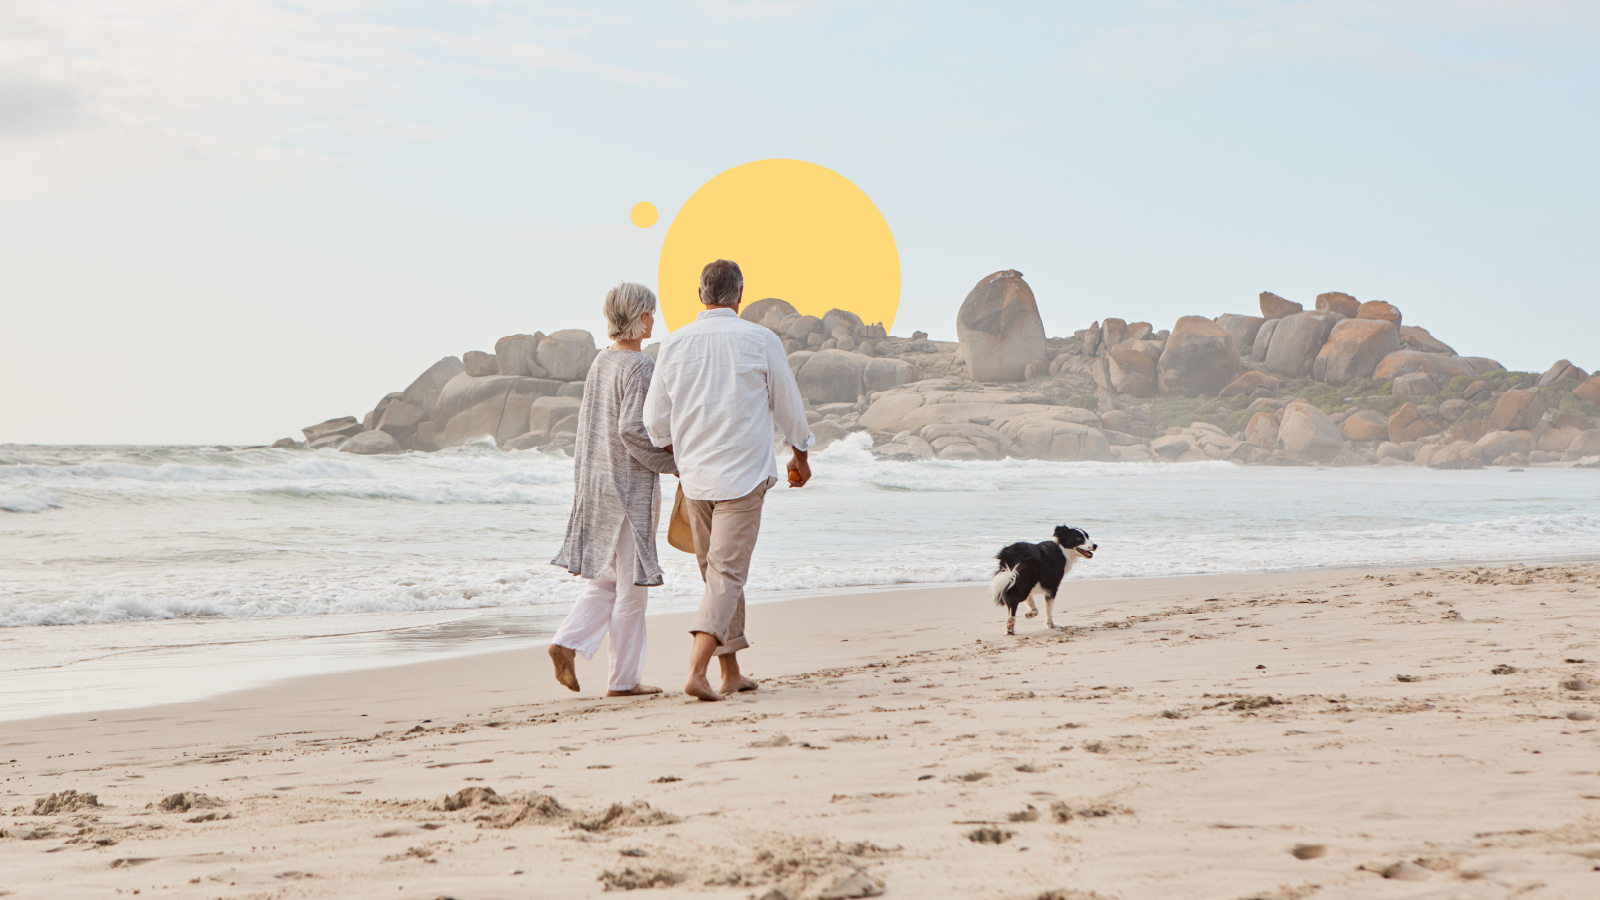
(225,220)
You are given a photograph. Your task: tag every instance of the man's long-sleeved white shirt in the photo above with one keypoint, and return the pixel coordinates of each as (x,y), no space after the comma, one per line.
(721,387)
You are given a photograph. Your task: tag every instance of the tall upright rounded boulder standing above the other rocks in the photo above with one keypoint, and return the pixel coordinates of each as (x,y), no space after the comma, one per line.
(999,329)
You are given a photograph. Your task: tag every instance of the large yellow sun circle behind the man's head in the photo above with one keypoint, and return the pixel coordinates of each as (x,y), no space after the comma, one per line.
(798,231)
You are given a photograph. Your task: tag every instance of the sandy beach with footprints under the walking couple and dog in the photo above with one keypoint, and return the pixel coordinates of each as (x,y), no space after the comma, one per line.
(1412,733)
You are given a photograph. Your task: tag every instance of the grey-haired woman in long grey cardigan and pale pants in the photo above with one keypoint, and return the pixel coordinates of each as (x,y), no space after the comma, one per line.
(612,532)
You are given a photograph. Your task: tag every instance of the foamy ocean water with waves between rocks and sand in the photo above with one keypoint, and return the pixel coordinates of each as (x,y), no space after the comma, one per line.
(127,569)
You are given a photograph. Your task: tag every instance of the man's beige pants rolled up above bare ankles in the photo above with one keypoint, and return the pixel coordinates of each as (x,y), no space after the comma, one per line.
(724,540)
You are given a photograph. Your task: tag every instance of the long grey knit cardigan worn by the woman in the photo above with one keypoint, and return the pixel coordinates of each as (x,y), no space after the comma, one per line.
(617,470)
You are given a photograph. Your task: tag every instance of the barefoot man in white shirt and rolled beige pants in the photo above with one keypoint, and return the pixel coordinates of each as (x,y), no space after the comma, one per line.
(721,387)
